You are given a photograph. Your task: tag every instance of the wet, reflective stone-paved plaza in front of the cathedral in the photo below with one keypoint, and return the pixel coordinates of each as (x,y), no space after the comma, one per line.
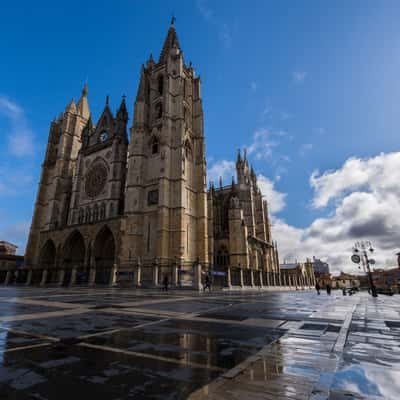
(130,344)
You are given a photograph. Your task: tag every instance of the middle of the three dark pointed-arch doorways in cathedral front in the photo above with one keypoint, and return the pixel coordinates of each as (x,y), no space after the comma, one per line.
(74,257)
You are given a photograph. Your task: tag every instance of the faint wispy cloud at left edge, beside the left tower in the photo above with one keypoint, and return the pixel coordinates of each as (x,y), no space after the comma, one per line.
(20,137)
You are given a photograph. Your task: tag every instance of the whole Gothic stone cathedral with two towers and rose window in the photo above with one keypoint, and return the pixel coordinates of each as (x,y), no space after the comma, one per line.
(115,211)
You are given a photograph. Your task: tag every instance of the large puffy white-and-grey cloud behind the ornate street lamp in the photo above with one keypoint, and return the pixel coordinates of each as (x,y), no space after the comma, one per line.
(365,195)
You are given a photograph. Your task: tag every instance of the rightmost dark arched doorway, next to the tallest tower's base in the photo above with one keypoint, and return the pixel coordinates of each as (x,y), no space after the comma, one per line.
(104,254)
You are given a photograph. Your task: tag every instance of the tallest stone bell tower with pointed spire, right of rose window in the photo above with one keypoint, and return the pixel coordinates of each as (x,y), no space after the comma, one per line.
(166,201)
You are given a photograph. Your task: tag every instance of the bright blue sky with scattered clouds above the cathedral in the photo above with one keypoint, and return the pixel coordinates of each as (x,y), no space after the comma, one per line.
(303,85)
